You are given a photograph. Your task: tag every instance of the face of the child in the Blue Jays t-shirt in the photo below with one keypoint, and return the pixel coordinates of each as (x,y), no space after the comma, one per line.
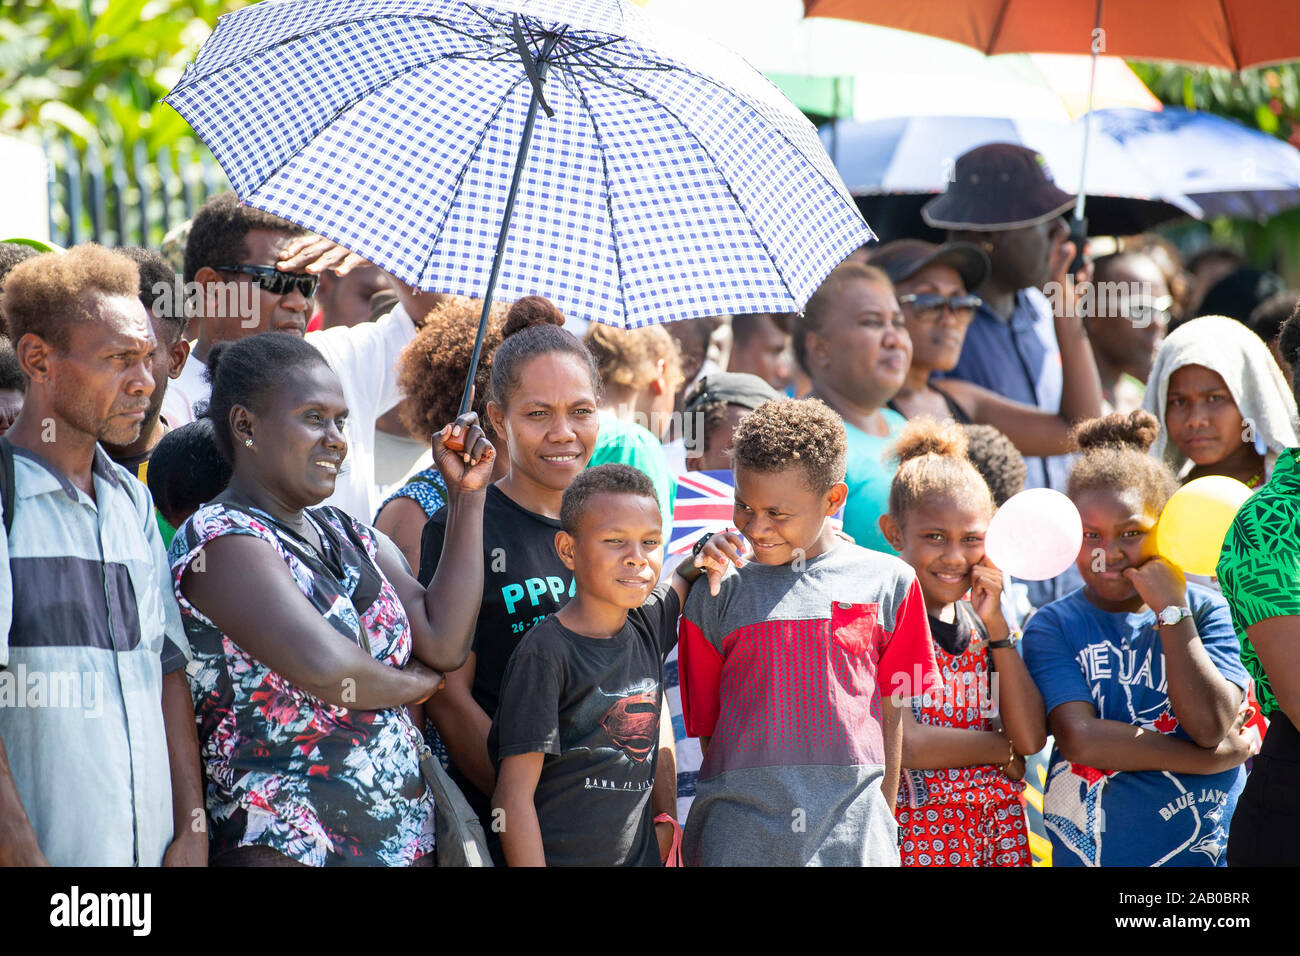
(1116,529)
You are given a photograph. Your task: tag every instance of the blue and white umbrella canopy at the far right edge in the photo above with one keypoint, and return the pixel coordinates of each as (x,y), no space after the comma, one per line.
(1224,167)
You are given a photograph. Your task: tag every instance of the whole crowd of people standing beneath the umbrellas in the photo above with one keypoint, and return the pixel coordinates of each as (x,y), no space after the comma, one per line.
(261,589)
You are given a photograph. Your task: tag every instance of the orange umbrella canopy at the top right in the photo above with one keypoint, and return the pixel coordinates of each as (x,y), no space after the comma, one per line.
(1236,34)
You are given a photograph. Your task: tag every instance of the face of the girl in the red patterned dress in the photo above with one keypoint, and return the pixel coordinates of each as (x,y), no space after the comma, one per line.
(943,539)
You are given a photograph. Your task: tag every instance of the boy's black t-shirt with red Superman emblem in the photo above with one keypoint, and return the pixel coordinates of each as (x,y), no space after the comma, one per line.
(592,707)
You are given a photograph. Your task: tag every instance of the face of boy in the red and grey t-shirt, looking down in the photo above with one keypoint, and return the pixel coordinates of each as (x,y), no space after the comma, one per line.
(782,517)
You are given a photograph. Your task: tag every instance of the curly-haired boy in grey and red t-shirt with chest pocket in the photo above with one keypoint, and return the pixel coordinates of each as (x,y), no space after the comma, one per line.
(787,669)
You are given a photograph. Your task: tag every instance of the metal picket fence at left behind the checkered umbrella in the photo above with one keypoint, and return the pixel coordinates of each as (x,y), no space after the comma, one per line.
(127,198)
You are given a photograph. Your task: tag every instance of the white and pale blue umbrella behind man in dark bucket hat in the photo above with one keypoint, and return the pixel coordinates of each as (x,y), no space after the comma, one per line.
(917,155)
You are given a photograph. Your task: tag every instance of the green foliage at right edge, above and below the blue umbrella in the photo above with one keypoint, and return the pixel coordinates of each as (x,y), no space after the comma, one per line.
(1267,100)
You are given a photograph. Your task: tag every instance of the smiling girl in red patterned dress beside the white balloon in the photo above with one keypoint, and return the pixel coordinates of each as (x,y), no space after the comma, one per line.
(960,801)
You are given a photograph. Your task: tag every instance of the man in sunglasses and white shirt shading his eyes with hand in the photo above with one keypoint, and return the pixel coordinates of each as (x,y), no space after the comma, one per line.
(233,254)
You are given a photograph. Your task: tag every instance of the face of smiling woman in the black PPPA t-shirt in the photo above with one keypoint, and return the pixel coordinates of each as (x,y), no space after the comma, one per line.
(551,421)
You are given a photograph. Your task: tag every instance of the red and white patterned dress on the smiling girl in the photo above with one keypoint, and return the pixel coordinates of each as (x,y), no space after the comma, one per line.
(963,816)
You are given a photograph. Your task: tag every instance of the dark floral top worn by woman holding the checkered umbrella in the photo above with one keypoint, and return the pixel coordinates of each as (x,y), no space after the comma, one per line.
(326,786)
